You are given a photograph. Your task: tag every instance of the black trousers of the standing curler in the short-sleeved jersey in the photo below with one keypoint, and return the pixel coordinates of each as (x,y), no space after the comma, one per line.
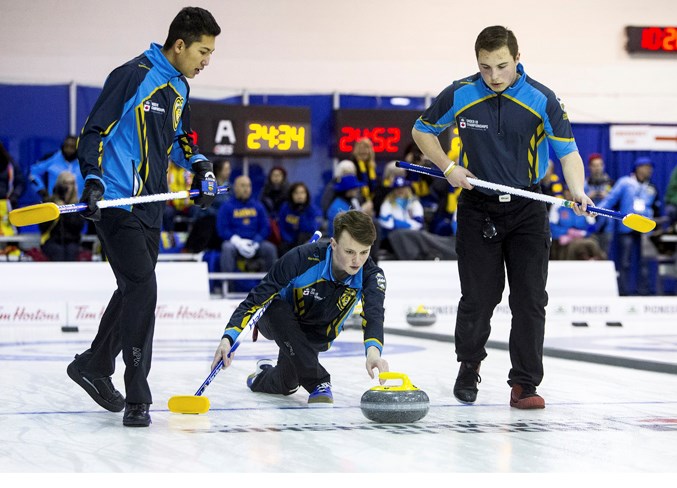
(520,249)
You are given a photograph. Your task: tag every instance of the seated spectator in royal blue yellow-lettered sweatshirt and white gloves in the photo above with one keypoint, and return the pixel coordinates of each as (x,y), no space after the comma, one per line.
(243,225)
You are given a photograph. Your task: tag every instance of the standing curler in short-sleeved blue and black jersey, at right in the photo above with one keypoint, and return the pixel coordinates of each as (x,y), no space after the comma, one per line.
(506,121)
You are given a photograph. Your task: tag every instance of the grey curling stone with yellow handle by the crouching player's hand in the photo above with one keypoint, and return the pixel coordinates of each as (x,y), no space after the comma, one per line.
(395,404)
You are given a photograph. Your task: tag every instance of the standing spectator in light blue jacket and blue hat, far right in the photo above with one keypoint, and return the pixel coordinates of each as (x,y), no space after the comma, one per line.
(636,194)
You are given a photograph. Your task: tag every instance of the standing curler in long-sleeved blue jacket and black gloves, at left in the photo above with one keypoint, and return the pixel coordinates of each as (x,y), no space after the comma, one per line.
(140,119)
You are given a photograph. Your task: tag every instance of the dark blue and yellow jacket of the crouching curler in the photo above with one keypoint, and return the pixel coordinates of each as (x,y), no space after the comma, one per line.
(303,278)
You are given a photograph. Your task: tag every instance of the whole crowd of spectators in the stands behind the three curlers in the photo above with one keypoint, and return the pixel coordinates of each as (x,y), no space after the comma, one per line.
(248,228)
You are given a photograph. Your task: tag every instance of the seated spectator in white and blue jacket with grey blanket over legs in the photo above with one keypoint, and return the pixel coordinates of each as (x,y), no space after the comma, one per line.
(401,222)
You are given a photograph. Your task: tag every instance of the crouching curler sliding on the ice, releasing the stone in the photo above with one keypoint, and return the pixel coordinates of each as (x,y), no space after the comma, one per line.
(309,293)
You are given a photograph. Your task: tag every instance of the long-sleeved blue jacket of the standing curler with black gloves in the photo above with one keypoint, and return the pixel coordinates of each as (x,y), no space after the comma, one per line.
(140,119)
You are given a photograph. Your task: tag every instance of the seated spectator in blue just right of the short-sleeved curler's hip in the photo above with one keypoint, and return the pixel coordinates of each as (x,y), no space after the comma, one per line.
(566,227)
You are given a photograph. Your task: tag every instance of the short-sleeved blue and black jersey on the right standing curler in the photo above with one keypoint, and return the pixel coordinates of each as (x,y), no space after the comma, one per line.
(504,136)
